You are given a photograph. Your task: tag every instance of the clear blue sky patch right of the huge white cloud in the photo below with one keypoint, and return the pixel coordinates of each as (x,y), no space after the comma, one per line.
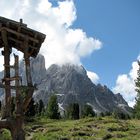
(117,24)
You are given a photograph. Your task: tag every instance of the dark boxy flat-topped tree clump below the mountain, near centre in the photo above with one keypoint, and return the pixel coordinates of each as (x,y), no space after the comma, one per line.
(73,111)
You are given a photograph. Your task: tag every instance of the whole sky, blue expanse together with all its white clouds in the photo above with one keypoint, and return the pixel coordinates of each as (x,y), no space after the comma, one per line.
(102,35)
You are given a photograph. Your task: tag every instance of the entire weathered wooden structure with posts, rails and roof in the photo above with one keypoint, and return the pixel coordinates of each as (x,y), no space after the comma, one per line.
(17,35)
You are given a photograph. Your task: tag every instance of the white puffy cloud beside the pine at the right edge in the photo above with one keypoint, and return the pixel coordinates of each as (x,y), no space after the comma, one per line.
(125,85)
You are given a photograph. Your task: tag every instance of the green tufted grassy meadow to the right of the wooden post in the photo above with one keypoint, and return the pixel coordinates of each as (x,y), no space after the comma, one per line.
(83,129)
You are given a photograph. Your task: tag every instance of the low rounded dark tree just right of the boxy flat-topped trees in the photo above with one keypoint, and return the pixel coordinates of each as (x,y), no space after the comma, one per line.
(88,111)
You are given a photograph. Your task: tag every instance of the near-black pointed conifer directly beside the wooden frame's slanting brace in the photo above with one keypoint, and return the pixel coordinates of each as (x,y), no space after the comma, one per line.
(31,109)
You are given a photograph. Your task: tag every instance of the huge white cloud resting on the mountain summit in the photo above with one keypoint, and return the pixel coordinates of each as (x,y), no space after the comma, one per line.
(63,44)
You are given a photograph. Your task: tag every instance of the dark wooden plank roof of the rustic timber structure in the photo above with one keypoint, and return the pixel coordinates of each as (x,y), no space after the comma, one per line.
(21,37)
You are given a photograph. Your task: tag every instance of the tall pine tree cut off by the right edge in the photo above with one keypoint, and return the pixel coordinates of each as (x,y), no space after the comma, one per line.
(137,105)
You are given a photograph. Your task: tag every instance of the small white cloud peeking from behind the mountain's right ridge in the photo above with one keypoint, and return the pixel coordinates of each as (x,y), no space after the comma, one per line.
(93,77)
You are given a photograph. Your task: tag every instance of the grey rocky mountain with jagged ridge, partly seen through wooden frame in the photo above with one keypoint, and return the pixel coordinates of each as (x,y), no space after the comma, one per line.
(71,84)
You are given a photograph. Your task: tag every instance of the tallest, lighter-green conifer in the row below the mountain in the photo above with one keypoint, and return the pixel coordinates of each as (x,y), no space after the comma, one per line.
(52,108)
